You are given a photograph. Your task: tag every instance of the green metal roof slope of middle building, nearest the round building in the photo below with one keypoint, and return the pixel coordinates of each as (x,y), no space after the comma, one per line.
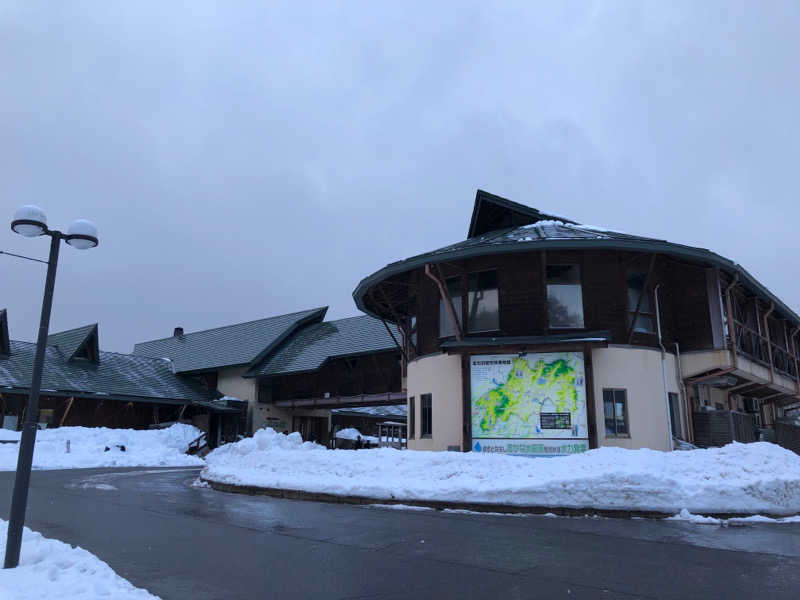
(310,347)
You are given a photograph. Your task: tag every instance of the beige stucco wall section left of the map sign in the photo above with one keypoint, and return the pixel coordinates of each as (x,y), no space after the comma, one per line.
(440,376)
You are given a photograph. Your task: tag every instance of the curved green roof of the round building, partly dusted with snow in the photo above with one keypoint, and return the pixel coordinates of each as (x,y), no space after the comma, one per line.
(559,235)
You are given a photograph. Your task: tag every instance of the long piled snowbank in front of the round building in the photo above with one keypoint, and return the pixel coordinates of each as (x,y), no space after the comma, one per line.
(745,478)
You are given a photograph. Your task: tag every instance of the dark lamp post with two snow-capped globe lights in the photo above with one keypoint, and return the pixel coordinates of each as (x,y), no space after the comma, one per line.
(30,221)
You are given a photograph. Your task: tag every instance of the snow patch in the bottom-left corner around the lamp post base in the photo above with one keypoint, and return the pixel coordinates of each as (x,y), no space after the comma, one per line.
(52,569)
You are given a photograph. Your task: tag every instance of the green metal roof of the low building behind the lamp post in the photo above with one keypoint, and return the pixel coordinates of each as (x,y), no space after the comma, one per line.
(117,376)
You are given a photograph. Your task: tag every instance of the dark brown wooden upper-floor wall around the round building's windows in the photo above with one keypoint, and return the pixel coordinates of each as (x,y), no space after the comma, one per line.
(522,296)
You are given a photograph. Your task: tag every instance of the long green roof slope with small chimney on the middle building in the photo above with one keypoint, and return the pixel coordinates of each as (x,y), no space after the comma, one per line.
(242,344)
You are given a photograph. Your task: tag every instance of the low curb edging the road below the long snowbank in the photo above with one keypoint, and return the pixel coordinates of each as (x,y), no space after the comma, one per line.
(484,507)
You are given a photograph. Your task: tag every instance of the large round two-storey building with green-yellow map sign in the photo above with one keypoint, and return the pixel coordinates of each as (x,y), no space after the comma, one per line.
(629,341)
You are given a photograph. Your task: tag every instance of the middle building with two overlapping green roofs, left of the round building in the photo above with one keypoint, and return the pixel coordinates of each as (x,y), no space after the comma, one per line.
(292,369)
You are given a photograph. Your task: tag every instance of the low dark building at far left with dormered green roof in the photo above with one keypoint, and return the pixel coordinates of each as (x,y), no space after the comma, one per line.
(82,385)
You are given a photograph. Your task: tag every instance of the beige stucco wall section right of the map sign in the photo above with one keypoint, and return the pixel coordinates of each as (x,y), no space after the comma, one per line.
(638,370)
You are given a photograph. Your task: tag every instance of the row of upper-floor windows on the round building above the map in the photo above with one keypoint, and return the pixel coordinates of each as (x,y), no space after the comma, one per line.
(564,301)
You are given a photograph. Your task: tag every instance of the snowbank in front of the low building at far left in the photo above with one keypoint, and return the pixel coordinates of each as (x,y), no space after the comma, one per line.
(143,448)
